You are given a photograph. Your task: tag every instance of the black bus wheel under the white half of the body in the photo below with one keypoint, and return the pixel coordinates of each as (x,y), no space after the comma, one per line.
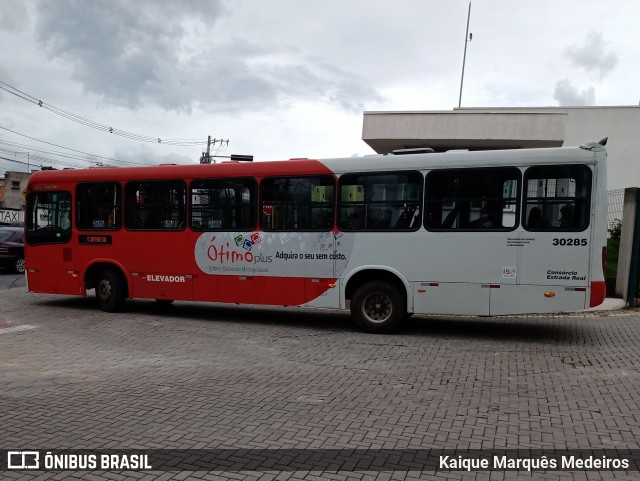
(378,307)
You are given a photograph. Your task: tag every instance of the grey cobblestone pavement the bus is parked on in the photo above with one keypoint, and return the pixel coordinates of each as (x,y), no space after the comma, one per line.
(209,376)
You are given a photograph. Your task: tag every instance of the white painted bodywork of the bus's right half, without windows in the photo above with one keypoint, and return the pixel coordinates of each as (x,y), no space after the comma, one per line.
(491,273)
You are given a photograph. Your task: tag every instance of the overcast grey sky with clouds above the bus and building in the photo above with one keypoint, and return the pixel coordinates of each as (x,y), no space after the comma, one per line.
(290,78)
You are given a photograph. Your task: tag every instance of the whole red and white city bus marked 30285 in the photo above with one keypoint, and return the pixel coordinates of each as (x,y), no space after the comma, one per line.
(471,233)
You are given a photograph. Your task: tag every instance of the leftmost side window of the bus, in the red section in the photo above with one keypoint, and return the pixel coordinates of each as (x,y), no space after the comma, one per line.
(48,217)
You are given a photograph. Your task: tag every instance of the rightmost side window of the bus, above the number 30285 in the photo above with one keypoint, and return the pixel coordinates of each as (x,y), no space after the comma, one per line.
(557,198)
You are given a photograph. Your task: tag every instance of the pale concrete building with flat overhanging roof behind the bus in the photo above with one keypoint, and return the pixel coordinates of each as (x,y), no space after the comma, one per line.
(515,128)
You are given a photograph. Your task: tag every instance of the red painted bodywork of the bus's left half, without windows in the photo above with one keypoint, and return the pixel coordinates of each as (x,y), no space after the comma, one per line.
(161,265)
